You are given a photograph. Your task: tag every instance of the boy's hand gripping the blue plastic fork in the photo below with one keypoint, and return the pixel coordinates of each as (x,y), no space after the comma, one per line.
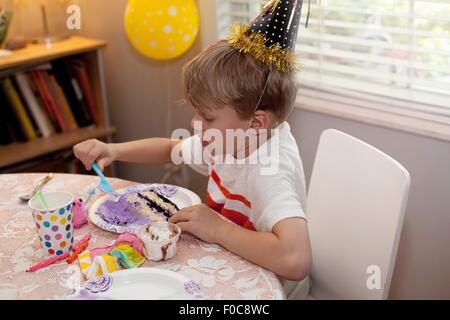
(95,150)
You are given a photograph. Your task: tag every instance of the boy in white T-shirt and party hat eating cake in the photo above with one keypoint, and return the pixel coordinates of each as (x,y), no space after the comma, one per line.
(233,86)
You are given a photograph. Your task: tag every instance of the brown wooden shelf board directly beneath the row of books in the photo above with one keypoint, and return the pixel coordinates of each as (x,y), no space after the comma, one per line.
(20,152)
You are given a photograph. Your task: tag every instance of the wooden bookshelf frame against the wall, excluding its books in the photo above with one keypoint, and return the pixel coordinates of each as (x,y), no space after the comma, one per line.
(20,154)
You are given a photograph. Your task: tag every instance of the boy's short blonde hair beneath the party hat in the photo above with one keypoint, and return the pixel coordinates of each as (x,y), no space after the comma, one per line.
(222,76)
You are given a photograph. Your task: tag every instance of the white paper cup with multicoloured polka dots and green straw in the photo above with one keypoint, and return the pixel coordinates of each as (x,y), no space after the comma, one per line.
(54,225)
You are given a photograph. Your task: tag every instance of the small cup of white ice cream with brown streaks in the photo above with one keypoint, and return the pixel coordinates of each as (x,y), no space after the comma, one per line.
(160,240)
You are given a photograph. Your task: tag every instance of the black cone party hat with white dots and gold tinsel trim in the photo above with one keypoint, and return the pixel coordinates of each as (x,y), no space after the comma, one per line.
(272,36)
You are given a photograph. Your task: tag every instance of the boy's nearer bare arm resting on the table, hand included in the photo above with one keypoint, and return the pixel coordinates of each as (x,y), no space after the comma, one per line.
(284,251)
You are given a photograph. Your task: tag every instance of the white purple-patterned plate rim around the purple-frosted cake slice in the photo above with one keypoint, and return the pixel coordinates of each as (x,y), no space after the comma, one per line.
(180,196)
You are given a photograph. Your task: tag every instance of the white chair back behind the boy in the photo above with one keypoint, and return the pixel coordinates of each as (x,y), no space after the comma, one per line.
(355,206)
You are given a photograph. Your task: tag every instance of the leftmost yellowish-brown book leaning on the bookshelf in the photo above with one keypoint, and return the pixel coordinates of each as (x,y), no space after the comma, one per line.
(18,108)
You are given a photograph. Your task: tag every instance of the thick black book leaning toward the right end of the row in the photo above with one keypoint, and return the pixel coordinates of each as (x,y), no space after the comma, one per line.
(72,92)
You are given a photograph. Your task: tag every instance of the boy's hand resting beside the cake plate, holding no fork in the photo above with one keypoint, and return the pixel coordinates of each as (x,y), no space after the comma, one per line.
(200,221)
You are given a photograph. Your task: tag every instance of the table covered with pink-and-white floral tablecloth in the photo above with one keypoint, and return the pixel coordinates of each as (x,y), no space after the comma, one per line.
(220,273)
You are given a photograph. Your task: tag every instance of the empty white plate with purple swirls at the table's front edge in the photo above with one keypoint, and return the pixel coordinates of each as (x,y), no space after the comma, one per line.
(140,284)
